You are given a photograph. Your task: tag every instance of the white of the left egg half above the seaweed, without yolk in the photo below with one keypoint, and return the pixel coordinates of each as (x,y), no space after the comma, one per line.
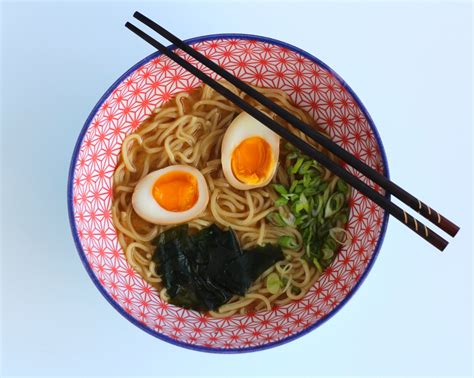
(150,210)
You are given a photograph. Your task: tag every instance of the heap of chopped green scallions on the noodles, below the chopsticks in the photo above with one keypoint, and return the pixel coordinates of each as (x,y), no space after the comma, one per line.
(317,202)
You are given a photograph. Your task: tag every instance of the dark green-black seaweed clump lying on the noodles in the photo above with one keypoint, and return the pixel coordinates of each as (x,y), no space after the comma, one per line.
(204,270)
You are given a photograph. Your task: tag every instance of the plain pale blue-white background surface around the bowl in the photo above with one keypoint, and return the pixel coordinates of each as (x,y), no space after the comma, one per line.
(410,63)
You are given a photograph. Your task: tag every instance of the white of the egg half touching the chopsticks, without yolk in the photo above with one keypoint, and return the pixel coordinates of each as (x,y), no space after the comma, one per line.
(244,126)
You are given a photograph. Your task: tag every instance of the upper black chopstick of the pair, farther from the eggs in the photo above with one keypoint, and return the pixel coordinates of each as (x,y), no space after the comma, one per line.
(410,200)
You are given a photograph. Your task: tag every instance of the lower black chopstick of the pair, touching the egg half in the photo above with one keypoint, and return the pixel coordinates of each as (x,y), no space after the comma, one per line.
(384,202)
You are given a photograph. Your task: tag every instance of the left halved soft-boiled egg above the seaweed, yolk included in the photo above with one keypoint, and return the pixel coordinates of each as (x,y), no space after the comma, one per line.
(175,194)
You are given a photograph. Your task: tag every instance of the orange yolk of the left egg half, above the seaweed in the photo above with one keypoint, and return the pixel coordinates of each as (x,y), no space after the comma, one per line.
(176,191)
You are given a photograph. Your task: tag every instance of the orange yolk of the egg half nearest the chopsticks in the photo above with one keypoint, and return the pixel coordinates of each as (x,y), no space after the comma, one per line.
(252,160)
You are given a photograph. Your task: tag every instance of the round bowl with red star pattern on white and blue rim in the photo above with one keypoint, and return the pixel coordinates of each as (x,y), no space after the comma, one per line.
(260,61)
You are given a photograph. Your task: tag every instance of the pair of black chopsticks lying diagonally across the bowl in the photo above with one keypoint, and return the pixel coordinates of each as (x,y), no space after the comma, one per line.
(306,148)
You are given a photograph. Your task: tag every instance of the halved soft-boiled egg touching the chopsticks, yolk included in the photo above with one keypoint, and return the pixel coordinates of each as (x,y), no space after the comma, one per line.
(249,153)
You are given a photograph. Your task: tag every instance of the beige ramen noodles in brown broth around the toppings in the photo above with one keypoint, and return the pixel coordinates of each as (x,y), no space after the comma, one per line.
(189,130)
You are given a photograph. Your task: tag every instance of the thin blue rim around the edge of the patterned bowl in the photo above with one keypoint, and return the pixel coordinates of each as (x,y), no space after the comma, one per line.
(82,256)
